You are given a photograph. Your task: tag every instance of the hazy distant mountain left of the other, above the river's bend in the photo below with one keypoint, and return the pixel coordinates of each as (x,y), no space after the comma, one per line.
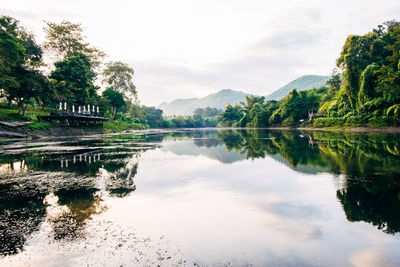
(216,100)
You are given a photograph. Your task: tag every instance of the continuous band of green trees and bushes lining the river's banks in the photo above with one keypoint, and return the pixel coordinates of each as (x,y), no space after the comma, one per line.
(362,93)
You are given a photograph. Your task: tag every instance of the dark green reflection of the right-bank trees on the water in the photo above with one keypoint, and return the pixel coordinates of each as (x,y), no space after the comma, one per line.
(370,163)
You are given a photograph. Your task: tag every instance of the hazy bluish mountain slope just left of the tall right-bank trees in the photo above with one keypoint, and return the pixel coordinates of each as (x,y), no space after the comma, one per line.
(303,83)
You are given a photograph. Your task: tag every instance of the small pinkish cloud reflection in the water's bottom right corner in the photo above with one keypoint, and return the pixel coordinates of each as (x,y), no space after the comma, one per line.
(369,257)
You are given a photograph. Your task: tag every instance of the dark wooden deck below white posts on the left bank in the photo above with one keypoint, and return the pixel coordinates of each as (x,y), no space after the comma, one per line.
(74,118)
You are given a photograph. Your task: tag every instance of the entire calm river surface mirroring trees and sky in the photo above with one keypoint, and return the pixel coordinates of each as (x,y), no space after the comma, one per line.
(202,197)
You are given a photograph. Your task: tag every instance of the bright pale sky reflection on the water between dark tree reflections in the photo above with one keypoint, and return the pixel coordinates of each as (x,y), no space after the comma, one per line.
(257,211)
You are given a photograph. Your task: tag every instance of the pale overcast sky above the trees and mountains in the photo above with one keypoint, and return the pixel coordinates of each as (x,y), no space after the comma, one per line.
(186,48)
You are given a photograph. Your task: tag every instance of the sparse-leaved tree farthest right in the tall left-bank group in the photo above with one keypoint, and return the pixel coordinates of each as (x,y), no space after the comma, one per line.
(118,76)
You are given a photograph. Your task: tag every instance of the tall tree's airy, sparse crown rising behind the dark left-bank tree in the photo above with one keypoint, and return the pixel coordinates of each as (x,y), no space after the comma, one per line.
(66,39)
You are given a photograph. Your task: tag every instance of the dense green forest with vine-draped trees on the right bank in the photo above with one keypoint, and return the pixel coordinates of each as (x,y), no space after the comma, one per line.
(363,91)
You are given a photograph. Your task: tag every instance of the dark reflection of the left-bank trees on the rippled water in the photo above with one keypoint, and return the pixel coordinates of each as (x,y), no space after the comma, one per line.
(30,177)
